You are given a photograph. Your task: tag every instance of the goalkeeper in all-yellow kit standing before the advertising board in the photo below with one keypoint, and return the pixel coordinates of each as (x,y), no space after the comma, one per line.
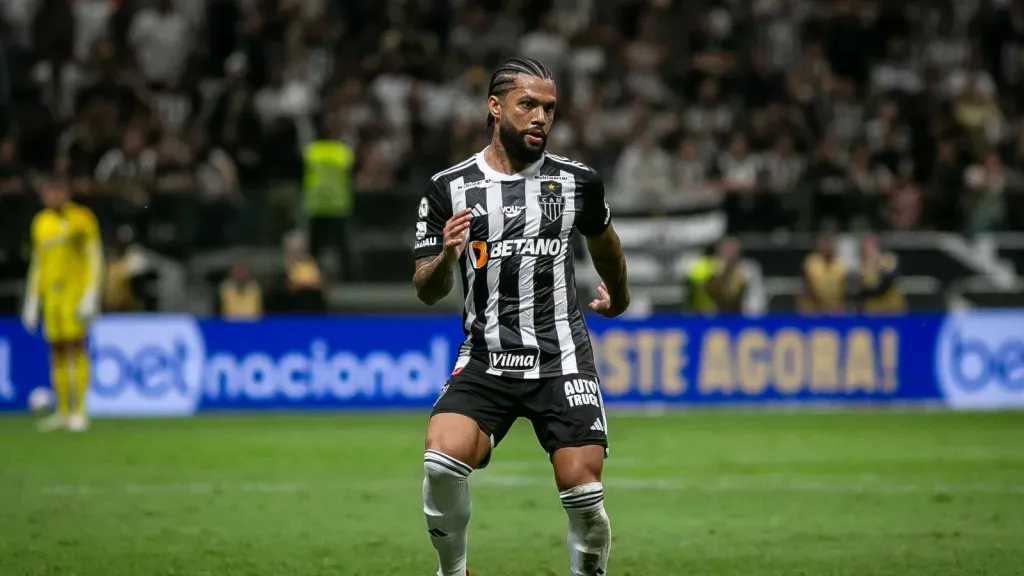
(64,284)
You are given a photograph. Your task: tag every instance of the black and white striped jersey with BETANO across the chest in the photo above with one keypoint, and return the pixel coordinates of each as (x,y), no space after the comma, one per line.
(522,316)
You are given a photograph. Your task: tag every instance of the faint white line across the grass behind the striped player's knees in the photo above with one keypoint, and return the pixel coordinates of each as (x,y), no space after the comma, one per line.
(731,485)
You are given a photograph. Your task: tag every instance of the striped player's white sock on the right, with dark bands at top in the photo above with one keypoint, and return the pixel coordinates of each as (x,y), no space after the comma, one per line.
(590,532)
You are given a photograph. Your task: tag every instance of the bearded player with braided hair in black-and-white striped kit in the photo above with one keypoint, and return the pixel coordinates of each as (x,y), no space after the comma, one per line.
(505,219)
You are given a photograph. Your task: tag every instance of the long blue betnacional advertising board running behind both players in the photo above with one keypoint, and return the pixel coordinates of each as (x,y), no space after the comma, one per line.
(178,365)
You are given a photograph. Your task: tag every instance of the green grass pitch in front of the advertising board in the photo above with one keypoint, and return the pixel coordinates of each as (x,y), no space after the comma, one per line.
(699,493)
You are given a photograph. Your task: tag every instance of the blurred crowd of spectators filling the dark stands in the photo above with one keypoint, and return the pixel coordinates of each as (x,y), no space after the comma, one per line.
(188,119)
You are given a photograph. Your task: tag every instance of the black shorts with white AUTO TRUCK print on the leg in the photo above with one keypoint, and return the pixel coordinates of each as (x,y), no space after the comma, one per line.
(566,412)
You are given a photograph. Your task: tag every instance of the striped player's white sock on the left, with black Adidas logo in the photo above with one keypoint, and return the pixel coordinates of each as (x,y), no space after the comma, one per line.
(446,504)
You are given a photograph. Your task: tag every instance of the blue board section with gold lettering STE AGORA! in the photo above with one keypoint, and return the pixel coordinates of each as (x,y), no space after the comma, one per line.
(771,359)
